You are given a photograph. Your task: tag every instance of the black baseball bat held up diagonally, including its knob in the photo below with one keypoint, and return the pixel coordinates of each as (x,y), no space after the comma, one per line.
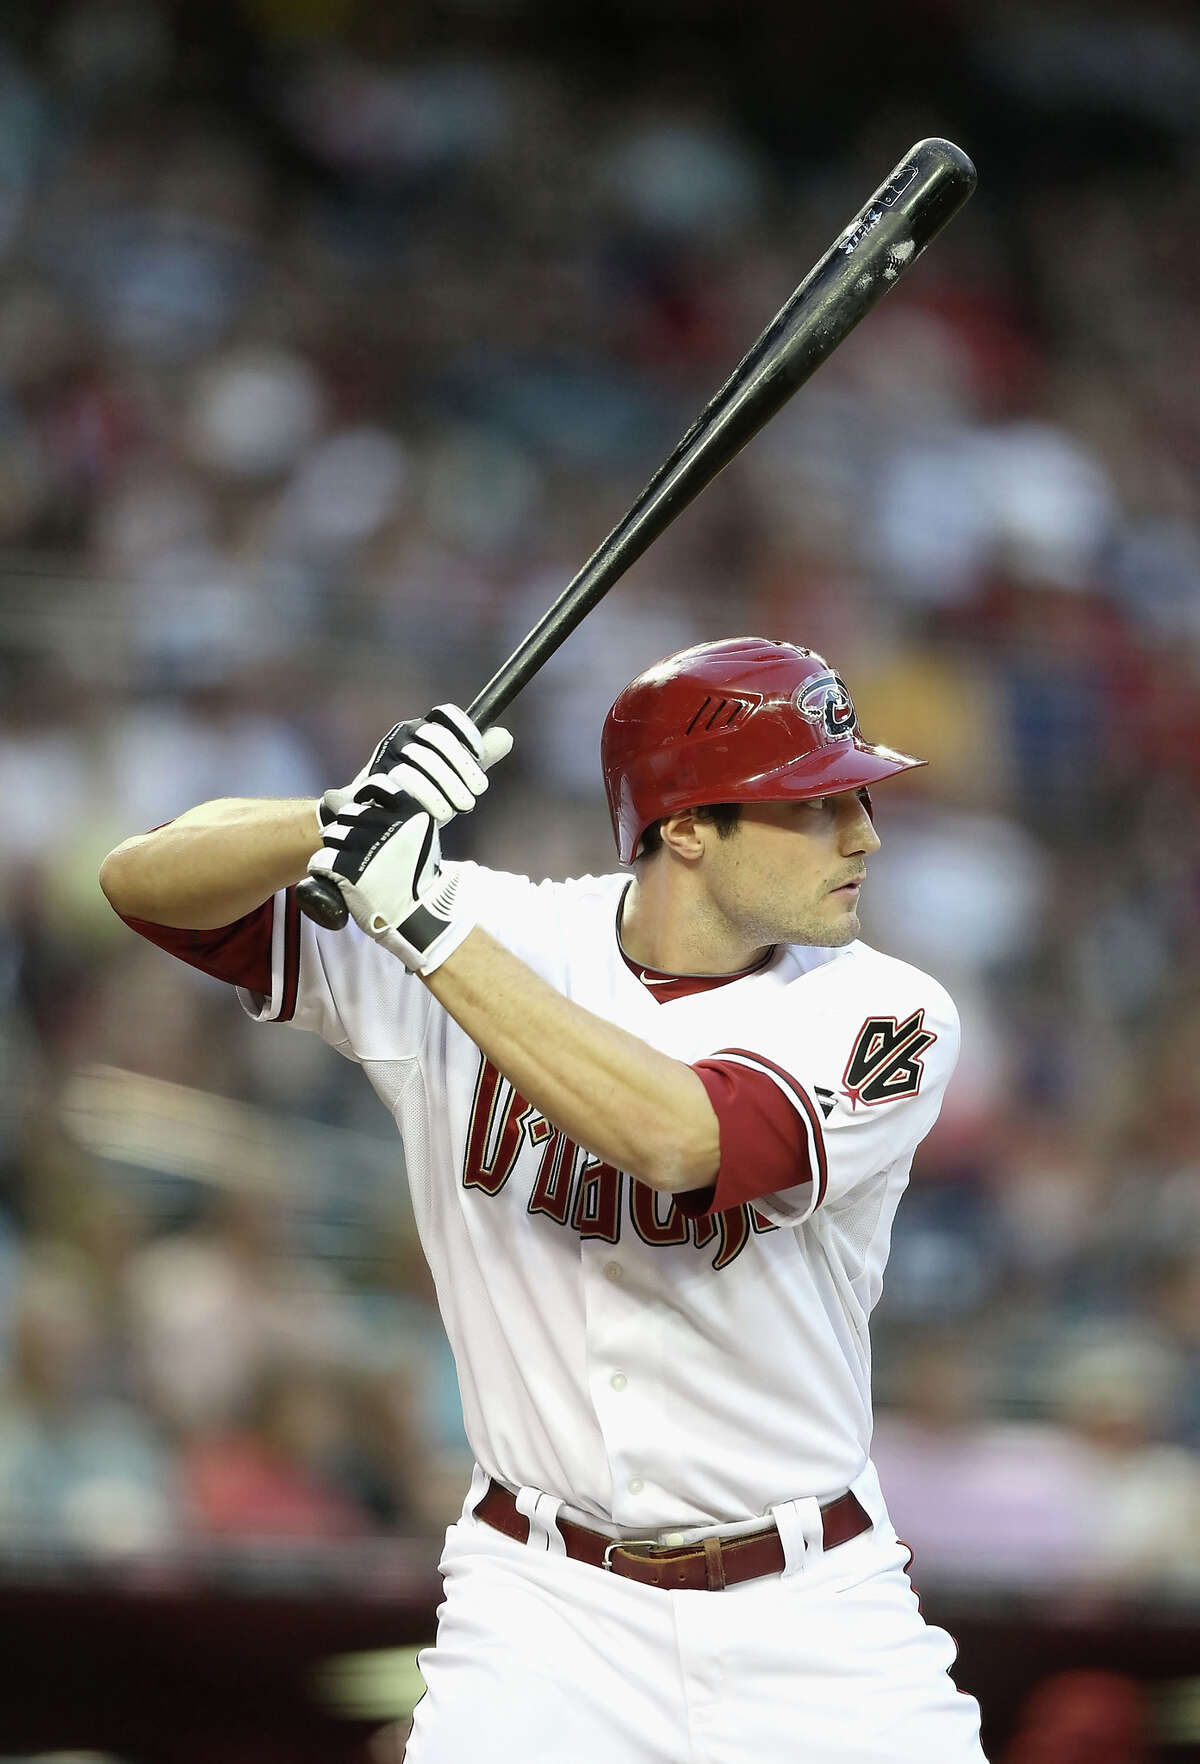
(867,258)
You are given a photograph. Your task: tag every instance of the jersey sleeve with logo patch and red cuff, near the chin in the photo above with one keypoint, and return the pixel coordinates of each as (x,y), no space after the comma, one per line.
(837,1086)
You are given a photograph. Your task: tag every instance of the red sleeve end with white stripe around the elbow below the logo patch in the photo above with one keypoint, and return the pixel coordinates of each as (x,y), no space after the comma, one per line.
(770,1133)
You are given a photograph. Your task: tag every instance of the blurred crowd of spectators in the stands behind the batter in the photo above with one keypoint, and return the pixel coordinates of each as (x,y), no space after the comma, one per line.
(327,355)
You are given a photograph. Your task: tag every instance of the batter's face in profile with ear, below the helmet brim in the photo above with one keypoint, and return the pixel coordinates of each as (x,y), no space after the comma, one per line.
(791,872)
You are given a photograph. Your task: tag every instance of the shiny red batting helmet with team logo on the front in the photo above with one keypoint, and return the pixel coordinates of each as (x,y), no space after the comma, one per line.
(746,721)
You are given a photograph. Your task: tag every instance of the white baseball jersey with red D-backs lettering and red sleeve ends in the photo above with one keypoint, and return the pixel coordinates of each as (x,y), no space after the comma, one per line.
(654,1363)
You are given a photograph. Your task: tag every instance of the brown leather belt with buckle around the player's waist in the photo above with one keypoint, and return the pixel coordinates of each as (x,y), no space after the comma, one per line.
(705,1567)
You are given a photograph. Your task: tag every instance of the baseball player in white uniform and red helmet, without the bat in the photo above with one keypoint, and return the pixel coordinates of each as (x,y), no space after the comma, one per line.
(657,1126)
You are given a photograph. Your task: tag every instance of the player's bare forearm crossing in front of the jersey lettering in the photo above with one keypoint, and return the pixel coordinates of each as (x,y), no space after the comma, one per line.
(610,1091)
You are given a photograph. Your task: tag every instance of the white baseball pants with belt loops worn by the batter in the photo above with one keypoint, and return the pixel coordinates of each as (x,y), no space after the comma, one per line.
(548,1661)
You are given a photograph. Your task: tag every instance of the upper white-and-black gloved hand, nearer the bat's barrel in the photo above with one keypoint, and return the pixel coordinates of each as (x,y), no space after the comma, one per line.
(437,763)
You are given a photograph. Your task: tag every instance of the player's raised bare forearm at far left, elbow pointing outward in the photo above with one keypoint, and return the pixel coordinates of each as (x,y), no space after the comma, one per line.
(214,863)
